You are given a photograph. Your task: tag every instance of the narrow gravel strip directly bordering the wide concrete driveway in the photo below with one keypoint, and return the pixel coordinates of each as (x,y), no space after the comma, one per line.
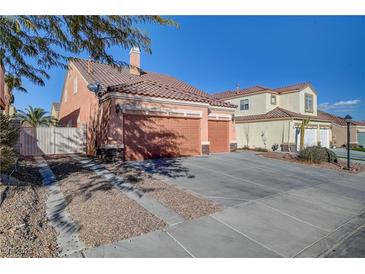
(187,204)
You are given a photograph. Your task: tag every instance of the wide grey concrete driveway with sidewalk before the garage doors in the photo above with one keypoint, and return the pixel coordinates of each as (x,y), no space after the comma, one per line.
(272,208)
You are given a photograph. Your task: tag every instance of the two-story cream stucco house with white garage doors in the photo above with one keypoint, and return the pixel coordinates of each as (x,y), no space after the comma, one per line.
(266,117)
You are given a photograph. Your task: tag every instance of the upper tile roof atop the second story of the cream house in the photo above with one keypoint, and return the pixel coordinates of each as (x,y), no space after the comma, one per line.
(229,94)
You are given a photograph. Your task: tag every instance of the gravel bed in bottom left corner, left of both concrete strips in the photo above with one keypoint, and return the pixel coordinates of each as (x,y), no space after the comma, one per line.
(24,228)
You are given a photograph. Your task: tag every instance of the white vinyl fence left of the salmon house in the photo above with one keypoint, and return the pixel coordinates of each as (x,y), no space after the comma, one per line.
(52,140)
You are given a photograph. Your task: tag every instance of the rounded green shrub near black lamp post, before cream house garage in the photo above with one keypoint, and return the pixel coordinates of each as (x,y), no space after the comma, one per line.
(317,154)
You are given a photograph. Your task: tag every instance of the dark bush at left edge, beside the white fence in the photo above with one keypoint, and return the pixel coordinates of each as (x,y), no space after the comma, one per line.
(8,138)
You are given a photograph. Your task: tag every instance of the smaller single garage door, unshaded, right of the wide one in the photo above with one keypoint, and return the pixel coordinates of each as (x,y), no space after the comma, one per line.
(218,136)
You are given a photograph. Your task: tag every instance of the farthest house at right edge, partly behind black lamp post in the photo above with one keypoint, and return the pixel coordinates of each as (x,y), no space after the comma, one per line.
(339,130)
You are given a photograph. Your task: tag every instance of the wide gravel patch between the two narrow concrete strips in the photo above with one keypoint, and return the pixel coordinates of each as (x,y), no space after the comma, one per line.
(104,214)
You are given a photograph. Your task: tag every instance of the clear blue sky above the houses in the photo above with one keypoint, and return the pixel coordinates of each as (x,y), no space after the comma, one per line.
(215,53)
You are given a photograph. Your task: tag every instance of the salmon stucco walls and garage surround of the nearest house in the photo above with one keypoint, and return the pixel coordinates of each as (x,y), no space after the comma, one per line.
(104,125)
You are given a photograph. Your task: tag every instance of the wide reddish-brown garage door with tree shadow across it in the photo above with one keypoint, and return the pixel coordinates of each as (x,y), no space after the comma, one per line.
(148,137)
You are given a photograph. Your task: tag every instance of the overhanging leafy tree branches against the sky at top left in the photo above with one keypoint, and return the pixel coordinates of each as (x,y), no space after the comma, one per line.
(31,45)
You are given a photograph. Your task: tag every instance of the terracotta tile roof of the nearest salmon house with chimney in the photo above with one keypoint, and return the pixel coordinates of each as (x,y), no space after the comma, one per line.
(147,84)
